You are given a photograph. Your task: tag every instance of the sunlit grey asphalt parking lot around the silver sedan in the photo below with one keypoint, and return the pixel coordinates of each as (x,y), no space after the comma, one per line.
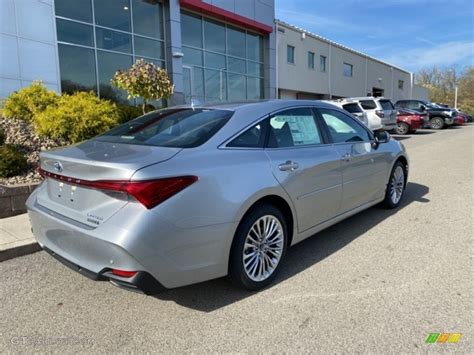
(380,281)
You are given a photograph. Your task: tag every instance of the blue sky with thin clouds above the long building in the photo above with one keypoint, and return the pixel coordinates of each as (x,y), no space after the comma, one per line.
(411,34)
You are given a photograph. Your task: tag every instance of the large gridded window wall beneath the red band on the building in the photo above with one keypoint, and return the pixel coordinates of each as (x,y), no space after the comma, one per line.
(221,62)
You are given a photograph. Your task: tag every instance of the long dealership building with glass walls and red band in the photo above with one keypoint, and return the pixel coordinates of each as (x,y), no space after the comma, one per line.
(213,50)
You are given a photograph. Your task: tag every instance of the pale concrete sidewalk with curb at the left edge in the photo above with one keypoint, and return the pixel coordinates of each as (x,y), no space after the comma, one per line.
(16,238)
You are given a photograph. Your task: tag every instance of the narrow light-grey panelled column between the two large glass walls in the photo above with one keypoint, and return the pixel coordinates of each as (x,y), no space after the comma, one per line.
(174,64)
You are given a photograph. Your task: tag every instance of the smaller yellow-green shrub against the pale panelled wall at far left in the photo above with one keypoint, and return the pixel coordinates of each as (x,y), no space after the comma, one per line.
(27,102)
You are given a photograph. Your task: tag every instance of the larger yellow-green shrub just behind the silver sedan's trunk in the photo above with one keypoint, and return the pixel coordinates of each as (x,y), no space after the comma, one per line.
(77,117)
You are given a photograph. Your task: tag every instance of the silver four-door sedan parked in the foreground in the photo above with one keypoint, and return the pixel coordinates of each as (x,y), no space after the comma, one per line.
(188,194)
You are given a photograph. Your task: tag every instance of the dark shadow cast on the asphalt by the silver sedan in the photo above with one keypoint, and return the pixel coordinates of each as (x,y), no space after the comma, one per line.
(212,295)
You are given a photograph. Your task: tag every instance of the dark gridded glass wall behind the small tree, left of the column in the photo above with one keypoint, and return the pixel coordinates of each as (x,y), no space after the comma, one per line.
(98,37)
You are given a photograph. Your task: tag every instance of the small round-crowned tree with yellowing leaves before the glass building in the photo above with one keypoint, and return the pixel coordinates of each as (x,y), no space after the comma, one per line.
(144,80)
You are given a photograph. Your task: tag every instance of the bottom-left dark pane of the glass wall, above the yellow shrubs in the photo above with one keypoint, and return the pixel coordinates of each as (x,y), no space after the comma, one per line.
(77,67)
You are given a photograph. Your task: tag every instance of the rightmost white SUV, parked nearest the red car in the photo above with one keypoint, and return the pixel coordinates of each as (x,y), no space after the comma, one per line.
(379,107)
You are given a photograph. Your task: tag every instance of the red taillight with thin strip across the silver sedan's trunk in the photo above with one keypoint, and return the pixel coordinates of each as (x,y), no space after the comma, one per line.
(149,193)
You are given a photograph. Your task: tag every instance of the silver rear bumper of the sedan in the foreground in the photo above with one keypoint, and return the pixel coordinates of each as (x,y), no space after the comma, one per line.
(160,251)
